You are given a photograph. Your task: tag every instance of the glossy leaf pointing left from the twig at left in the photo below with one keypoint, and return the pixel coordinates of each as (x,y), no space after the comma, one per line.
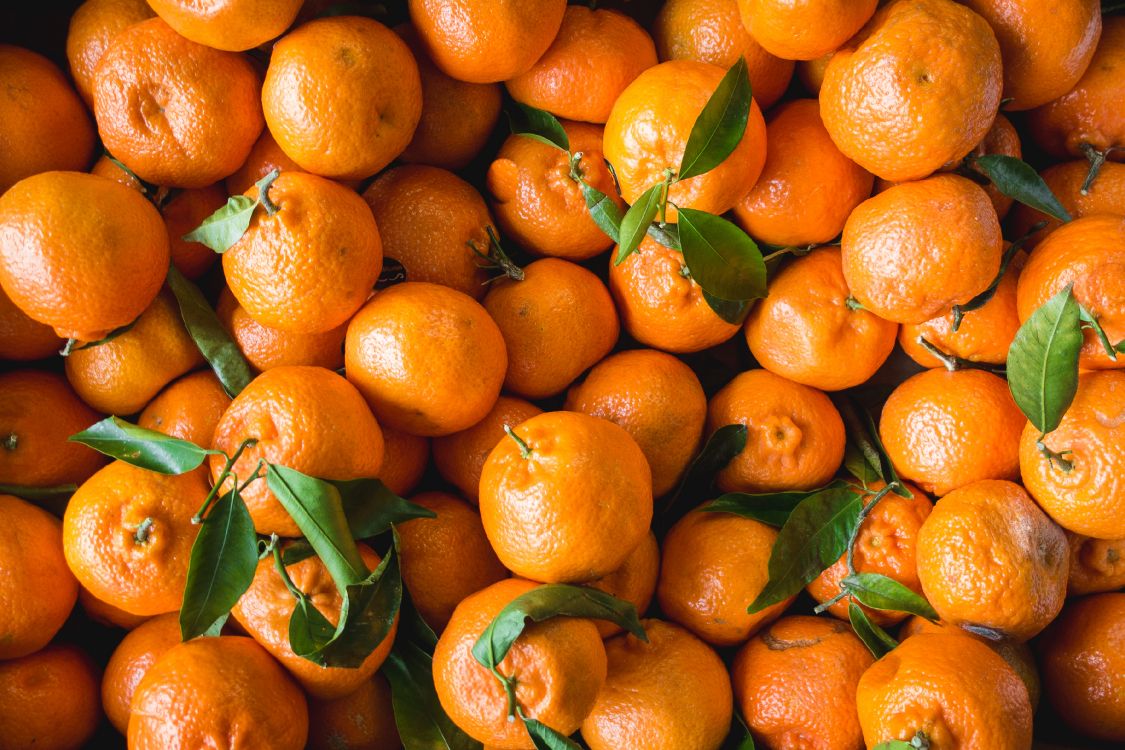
(143,448)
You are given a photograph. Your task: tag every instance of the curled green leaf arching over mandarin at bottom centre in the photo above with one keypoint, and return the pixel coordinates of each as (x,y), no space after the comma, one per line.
(546,602)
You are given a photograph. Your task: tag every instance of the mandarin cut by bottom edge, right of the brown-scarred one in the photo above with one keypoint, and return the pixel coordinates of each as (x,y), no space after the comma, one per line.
(950,686)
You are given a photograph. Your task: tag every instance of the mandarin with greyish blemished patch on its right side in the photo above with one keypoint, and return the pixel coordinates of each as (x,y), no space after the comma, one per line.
(989,557)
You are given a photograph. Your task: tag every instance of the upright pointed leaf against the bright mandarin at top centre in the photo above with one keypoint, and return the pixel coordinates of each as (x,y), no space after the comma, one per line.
(721,125)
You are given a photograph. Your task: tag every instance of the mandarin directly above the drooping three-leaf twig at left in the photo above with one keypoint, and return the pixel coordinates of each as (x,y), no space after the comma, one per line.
(302,418)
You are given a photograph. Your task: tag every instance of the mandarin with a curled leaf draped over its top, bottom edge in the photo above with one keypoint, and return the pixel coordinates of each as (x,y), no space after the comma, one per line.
(559,666)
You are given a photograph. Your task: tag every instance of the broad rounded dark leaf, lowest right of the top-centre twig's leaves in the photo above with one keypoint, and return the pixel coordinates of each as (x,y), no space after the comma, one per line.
(722,258)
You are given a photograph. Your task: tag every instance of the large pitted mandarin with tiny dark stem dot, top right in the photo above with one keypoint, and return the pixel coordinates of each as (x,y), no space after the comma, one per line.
(917,88)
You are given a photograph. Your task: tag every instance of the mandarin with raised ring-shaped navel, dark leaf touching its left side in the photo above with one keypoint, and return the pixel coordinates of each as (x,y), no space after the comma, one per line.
(795,435)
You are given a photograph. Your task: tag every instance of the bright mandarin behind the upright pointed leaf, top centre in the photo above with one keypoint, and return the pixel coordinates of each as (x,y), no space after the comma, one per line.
(649,129)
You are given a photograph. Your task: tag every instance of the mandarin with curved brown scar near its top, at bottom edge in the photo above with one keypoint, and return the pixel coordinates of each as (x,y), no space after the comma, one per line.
(796,683)
